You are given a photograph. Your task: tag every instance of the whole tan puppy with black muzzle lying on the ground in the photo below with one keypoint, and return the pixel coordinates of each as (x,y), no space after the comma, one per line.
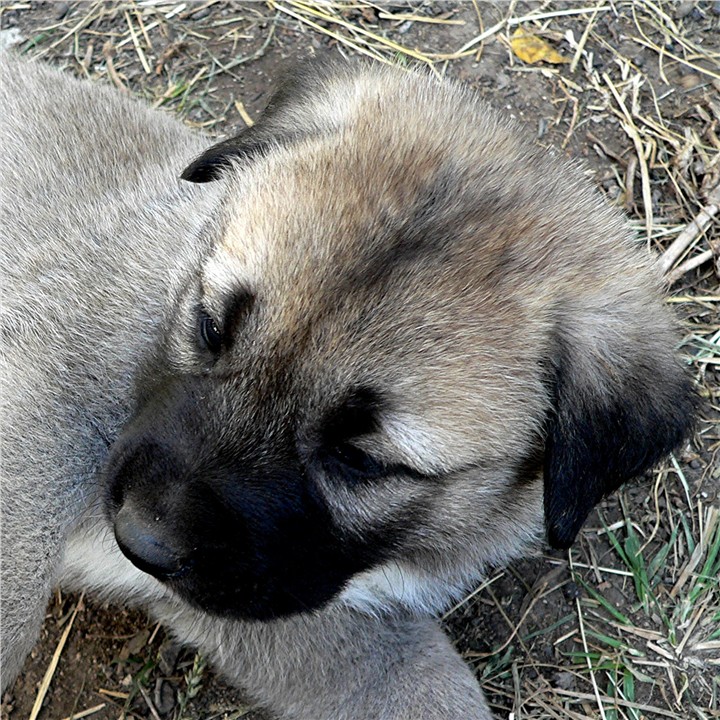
(301,399)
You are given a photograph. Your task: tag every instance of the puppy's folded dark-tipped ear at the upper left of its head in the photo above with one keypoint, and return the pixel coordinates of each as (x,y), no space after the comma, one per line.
(288,117)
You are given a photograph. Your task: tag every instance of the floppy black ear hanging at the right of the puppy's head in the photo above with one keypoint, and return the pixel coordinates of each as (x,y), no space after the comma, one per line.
(614,418)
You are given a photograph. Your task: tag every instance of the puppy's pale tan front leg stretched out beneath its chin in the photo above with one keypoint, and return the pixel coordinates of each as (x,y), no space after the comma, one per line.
(339,664)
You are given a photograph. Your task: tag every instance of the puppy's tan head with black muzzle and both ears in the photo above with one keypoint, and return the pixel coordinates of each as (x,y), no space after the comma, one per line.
(412,343)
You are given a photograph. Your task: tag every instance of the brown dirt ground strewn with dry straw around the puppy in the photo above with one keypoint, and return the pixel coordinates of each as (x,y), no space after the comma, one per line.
(626,624)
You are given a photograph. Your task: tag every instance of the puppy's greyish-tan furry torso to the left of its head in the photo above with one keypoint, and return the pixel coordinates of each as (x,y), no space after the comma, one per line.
(80,306)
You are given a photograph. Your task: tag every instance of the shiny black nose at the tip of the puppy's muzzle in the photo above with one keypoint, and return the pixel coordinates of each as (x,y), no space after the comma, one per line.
(145,547)
